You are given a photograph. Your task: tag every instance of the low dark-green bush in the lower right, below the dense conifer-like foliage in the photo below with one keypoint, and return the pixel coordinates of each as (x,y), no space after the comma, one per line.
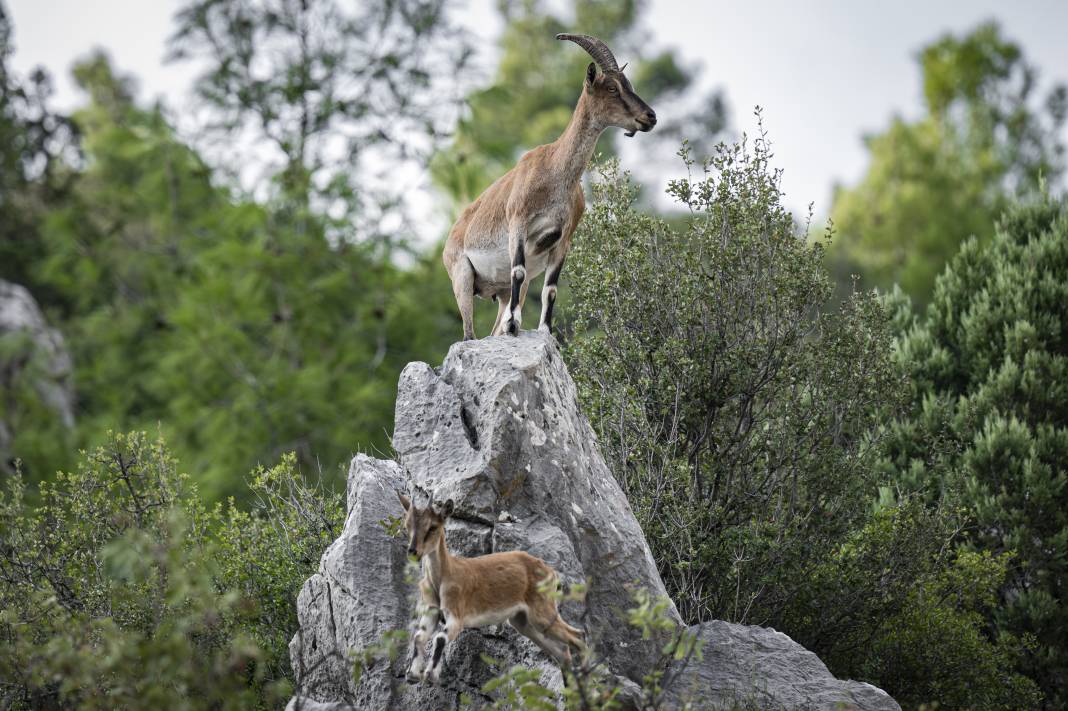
(898,604)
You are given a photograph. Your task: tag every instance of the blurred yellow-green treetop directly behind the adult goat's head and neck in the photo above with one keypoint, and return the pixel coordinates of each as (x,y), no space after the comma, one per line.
(530,99)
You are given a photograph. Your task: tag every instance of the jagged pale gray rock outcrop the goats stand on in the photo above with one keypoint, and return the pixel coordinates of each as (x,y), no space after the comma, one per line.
(497,429)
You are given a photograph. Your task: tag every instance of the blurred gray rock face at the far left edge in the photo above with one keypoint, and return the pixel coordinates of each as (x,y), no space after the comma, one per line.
(41,349)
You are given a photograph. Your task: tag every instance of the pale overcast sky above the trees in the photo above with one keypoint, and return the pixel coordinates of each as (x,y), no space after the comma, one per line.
(826,72)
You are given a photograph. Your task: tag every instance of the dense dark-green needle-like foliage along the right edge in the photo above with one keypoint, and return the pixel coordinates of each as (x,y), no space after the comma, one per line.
(987,373)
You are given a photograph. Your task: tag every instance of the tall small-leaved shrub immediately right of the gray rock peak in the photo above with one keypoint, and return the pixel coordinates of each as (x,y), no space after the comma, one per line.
(730,406)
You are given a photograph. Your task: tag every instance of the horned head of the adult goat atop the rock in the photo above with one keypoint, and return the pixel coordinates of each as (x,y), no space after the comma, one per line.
(614,100)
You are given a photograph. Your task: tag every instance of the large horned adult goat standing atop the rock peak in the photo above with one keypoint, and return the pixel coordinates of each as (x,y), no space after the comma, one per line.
(523,224)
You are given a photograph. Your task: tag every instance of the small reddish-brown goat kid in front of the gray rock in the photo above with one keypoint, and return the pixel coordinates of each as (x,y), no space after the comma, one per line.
(481,592)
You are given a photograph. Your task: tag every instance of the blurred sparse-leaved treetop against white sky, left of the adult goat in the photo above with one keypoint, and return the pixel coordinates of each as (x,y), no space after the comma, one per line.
(328,88)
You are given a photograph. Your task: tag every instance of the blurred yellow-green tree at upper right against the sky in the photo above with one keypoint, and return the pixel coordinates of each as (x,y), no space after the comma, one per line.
(984,140)
